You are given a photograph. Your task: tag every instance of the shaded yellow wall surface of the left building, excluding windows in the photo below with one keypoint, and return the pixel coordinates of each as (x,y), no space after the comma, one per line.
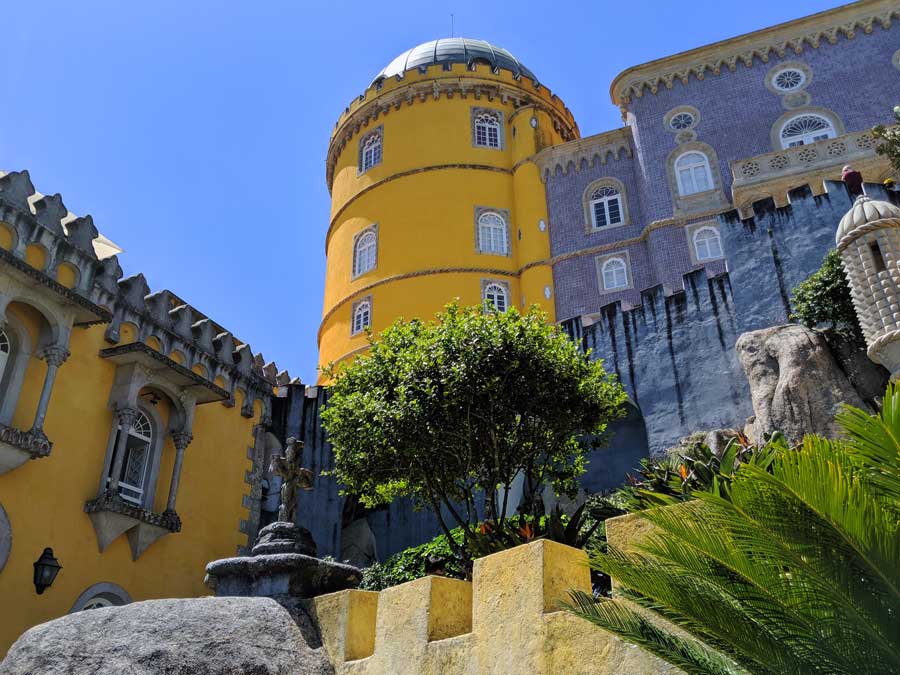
(44,499)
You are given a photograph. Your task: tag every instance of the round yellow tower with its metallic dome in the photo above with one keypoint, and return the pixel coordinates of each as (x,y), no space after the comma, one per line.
(434,194)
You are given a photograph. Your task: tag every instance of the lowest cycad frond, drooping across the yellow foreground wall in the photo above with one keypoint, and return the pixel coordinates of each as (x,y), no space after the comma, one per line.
(691,656)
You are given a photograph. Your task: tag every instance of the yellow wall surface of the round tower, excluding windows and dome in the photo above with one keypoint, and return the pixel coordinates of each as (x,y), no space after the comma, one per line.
(423,197)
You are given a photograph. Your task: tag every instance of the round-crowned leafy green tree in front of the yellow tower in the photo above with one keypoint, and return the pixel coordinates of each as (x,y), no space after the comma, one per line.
(447,410)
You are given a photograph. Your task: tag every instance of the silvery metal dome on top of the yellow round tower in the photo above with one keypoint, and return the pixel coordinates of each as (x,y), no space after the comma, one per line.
(454,50)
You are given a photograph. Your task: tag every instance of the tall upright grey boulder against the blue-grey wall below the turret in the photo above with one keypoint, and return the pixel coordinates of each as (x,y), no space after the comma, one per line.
(796,384)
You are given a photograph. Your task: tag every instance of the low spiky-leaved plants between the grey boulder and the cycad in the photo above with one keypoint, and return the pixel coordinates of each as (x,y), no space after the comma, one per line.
(692,468)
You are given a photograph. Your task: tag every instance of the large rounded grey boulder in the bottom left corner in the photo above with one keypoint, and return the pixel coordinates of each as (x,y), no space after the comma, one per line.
(200,636)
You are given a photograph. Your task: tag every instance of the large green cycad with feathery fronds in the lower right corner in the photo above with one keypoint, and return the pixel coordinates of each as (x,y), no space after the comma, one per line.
(793,568)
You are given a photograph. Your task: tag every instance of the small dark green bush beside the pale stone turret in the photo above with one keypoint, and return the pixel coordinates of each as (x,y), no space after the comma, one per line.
(824,298)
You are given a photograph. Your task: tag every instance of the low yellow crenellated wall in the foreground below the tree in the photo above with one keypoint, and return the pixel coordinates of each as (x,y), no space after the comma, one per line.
(507,620)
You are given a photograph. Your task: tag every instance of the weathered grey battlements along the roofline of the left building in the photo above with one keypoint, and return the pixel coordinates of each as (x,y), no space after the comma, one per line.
(40,237)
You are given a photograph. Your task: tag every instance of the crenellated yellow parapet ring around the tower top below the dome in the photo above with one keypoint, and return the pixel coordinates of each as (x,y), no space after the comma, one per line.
(432,82)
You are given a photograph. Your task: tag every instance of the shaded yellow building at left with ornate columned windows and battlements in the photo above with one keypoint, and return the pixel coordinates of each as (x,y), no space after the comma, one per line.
(132,427)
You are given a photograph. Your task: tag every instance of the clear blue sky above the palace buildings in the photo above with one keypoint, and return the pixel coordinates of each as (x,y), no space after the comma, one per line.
(195,132)
